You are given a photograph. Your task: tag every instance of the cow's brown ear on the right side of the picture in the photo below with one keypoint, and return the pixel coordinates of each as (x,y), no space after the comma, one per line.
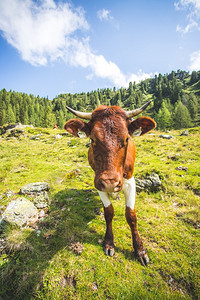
(142,124)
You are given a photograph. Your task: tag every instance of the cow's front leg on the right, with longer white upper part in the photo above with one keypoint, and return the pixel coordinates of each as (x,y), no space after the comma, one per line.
(129,192)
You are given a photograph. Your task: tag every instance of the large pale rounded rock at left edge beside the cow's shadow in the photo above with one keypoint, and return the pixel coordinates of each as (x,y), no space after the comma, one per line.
(20,212)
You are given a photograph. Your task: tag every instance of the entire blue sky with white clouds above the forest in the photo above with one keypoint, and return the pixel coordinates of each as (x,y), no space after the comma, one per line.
(50,47)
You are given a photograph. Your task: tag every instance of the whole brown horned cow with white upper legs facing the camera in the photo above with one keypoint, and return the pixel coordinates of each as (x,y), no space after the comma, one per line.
(112,155)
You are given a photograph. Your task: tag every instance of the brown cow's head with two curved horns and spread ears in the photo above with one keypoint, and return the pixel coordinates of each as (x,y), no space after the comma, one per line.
(112,152)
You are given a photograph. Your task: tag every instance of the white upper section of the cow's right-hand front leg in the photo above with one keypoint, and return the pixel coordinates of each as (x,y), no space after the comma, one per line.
(129,190)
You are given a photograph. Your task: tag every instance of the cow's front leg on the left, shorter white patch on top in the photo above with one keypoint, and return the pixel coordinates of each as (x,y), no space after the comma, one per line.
(108,214)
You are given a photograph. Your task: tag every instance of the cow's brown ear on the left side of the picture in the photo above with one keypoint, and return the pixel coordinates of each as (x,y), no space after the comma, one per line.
(74,125)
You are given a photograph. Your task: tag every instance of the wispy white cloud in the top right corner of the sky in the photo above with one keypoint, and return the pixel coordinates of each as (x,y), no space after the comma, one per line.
(193,15)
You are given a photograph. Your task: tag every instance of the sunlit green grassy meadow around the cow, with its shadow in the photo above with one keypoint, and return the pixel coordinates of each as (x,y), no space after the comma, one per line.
(42,264)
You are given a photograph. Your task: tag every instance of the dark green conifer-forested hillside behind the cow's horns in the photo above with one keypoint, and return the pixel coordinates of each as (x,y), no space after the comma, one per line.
(176,102)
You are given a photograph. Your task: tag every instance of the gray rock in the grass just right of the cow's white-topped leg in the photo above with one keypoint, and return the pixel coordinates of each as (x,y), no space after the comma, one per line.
(151,183)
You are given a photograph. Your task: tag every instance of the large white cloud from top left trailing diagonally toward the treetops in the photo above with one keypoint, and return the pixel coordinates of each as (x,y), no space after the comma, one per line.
(46,31)
